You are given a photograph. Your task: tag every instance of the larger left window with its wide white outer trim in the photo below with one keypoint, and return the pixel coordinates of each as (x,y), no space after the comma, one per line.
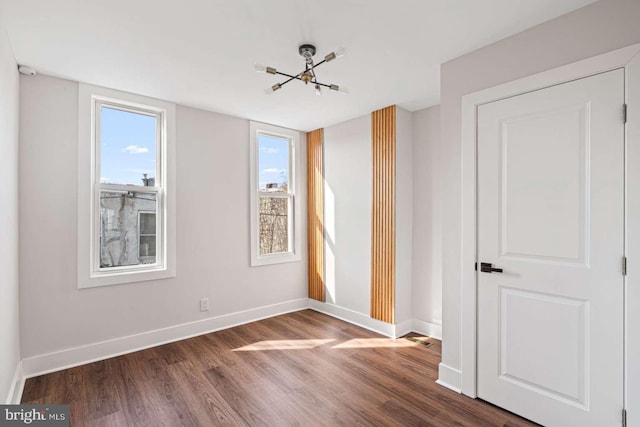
(125,202)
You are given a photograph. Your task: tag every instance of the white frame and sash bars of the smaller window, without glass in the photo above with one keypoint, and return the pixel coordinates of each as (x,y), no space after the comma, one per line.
(292,194)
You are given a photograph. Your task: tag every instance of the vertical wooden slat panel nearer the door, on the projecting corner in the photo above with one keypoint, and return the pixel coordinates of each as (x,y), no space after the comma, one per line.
(383,215)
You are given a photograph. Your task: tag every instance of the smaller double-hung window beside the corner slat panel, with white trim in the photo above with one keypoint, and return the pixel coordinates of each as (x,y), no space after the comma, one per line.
(274,207)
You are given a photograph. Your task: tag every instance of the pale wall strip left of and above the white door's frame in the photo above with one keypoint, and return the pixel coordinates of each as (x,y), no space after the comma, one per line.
(600,27)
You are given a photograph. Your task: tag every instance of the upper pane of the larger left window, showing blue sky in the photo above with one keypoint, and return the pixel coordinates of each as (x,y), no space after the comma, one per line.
(127,147)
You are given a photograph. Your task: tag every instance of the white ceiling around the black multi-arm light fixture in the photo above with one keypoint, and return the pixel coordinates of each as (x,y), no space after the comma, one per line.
(201,53)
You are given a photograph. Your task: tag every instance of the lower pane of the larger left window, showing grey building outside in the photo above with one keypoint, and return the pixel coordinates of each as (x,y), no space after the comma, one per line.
(121,243)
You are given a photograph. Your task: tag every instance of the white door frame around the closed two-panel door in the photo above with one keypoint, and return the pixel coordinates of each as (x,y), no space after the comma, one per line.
(620,58)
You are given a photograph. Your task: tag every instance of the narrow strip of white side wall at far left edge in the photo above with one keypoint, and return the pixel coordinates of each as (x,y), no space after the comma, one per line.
(9,321)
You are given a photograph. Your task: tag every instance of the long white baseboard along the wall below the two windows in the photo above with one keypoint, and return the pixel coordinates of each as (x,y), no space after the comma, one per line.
(63,359)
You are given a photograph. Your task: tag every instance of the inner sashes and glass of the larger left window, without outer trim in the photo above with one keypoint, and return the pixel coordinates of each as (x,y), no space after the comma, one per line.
(128,141)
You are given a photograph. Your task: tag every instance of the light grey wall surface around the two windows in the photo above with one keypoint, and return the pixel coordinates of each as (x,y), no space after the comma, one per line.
(212,229)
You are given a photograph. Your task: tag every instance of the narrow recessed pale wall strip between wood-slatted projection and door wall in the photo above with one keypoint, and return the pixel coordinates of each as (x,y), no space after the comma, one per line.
(427,221)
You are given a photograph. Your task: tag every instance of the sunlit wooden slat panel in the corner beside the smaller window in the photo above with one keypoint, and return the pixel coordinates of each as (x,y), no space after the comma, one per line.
(315,212)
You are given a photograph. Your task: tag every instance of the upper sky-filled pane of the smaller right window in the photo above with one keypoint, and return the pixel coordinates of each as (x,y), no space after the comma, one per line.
(273,163)
